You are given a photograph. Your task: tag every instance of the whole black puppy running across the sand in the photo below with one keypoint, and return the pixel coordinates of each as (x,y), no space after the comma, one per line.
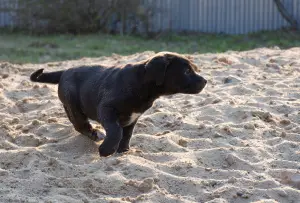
(116,97)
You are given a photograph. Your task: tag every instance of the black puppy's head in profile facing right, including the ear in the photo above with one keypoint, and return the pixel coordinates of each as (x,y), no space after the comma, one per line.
(174,74)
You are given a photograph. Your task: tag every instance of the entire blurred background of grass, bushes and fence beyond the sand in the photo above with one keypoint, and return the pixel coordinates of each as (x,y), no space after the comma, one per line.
(37,31)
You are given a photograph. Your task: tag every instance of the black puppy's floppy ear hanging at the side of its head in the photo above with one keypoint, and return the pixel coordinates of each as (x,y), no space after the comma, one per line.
(156,69)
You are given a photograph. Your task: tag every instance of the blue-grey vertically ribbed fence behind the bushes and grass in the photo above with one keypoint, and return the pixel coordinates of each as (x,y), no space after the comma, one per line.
(212,16)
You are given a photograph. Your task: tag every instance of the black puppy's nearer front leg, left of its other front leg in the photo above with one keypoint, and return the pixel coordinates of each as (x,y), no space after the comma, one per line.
(108,119)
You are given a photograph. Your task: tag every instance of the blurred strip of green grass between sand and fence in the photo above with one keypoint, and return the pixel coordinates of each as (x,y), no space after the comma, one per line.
(22,48)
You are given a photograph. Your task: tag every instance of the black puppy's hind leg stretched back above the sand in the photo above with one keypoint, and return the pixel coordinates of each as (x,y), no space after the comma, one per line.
(81,123)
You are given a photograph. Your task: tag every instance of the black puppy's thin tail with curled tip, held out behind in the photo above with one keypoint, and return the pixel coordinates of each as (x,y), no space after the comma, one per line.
(39,76)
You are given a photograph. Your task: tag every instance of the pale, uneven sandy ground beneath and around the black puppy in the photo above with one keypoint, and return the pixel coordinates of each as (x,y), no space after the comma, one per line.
(237,141)
